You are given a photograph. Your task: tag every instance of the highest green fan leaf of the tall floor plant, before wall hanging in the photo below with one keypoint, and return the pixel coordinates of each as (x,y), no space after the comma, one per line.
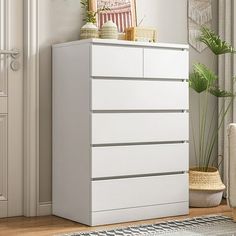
(214,42)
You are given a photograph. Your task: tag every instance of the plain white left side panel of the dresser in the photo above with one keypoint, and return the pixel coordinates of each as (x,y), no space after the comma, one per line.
(71,133)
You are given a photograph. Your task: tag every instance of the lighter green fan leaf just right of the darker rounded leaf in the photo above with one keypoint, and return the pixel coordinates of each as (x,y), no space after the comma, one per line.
(205,73)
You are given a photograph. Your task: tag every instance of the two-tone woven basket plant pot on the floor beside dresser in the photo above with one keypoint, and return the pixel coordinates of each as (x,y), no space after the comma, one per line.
(205,188)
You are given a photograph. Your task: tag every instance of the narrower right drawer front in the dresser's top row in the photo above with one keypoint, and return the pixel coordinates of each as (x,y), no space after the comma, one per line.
(163,63)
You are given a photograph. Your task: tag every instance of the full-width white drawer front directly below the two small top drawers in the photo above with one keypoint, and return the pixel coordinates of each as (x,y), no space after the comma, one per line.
(139,95)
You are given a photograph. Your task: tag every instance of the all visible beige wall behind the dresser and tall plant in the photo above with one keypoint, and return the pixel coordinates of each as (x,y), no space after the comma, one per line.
(60,20)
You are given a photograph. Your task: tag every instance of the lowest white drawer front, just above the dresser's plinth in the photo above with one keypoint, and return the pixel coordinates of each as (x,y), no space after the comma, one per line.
(135,192)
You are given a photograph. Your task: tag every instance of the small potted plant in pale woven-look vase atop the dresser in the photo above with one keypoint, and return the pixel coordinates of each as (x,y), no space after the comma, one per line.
(90,30)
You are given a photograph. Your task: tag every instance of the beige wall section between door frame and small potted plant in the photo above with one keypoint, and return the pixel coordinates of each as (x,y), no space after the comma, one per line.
(59,21)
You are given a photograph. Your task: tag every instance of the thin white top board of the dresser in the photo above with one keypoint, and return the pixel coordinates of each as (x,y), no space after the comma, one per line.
(122,43)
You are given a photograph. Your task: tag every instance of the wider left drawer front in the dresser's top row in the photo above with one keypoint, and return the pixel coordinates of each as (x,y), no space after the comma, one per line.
(115,61)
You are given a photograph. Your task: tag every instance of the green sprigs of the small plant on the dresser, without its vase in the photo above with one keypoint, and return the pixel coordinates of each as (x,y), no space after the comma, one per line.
(91,16)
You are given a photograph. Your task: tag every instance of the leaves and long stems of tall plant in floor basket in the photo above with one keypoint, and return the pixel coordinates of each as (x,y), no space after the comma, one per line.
(205,82)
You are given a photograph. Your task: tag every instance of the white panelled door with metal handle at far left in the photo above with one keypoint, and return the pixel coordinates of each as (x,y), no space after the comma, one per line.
(11,108)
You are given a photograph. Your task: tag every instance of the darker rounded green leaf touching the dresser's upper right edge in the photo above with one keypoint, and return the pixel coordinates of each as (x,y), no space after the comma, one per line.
(197,82)
